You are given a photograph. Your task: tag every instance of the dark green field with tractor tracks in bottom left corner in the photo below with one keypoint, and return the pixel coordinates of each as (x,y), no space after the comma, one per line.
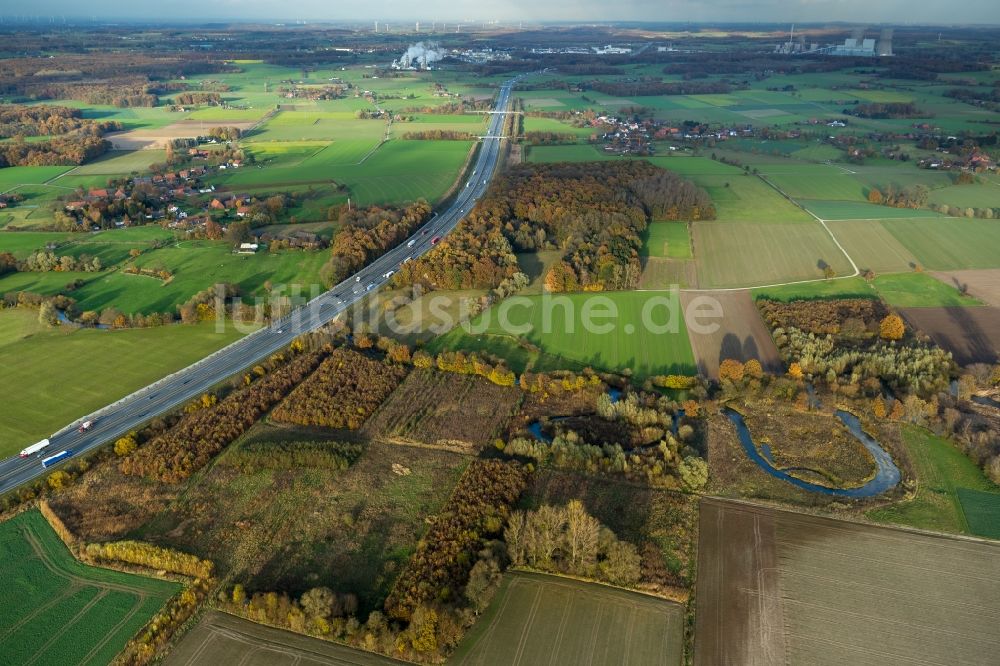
(65,612)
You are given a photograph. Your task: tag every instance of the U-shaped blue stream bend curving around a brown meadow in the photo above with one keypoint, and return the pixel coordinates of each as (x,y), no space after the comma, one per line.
(886,476)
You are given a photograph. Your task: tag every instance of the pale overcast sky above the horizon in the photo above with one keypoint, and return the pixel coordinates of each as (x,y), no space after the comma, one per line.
(860,11)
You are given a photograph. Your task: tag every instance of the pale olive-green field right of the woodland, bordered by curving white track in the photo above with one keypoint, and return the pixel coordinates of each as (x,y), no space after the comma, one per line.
(745,254)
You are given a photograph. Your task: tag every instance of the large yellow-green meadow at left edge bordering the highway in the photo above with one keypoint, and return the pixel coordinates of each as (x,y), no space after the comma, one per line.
(62,374)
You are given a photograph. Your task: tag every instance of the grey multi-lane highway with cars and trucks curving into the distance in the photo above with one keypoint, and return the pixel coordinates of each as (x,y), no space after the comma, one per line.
(168,393)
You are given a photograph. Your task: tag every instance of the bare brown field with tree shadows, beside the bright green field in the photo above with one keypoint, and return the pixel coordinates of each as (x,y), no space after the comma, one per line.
(741,333)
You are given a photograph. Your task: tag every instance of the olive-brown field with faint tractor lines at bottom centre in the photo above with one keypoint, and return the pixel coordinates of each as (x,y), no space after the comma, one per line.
(542,620)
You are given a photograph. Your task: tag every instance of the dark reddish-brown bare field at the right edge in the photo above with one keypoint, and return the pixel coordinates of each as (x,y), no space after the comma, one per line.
(971,334)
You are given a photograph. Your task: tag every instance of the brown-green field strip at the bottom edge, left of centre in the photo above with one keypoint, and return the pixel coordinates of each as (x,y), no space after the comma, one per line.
(219,638)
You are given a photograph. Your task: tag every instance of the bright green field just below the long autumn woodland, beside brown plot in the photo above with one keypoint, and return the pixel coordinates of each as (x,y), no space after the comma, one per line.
(619,337)
